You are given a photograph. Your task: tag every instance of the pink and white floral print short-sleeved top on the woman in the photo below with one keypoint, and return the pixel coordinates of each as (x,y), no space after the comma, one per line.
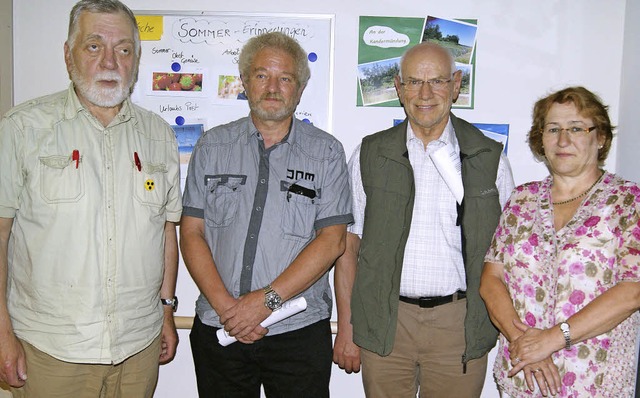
(552,274)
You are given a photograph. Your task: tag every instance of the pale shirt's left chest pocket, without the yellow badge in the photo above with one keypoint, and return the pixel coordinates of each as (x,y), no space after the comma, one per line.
(60,181)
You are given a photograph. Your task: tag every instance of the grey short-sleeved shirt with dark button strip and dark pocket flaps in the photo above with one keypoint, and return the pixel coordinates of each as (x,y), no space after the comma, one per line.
(261,207)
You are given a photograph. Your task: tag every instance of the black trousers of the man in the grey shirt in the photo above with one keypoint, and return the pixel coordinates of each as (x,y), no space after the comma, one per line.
(296,364)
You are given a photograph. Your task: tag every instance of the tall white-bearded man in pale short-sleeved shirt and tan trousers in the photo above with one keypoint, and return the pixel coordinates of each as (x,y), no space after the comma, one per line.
(89,198)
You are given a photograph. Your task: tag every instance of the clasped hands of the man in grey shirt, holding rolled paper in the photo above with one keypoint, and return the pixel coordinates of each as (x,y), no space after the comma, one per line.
(243,319)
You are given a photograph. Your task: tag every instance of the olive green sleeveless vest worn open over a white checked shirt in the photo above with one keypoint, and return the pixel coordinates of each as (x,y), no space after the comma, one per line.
(388,182)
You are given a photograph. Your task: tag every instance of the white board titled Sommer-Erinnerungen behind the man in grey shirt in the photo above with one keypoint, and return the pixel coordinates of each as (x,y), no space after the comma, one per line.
(189,66)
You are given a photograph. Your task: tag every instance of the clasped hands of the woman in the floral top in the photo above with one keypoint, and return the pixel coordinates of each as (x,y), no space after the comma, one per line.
(531,353)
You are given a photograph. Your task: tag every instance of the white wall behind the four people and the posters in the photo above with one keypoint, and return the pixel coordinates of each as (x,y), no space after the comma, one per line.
(525,50)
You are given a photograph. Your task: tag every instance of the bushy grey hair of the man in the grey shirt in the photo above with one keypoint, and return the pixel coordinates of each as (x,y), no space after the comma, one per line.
(276,41)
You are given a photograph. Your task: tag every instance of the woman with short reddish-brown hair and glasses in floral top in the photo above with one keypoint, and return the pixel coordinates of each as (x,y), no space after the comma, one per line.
(561,278)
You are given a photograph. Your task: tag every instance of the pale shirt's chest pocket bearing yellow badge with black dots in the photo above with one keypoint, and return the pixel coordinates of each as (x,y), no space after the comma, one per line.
(150,184)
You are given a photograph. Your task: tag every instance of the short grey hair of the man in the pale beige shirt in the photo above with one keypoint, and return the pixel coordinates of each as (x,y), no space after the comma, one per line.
(101,7)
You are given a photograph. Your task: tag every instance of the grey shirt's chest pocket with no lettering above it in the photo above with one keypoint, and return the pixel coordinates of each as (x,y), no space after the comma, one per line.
(223,196)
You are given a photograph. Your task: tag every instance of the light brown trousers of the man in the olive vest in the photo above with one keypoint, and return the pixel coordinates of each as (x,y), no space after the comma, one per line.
(426,357)
